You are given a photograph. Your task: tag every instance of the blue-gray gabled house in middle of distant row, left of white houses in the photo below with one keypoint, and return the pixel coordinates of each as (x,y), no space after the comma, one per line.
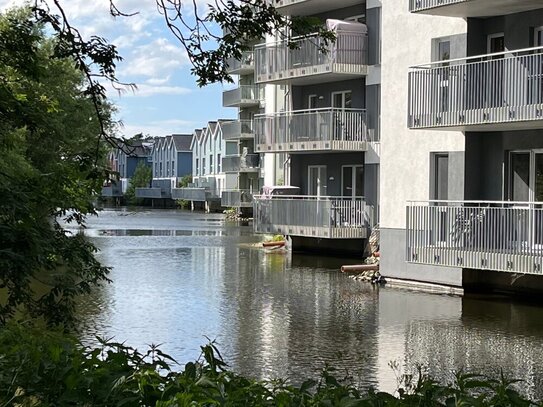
(172,160)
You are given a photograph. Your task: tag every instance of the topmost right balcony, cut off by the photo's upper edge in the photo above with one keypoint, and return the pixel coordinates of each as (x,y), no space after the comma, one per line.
(472,8)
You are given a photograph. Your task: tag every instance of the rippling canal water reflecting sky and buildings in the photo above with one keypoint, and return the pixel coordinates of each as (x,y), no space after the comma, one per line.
(180,278)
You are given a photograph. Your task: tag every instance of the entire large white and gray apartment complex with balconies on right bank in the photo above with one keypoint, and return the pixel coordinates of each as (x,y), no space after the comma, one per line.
(446,156)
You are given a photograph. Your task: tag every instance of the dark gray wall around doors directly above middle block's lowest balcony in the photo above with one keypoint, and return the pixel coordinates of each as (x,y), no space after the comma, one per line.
(333,162)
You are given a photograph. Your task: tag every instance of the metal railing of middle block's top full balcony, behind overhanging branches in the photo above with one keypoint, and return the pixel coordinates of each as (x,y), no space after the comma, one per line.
(344,59)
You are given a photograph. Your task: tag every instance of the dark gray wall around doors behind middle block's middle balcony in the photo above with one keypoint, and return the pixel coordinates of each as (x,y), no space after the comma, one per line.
(300,94)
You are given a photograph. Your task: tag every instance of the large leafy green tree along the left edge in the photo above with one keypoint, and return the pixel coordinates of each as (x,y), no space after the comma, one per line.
(50,169)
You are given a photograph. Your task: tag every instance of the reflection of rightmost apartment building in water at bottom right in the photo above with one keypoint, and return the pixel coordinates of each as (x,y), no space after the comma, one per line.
(489,338)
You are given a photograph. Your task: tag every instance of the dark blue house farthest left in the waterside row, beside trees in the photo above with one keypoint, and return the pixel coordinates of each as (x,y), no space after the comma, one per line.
(124,160)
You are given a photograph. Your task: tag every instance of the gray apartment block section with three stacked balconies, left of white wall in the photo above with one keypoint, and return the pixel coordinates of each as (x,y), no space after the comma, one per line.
(322,125)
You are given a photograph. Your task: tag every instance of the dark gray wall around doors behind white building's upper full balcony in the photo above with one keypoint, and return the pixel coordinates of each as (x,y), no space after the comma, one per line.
(518,30)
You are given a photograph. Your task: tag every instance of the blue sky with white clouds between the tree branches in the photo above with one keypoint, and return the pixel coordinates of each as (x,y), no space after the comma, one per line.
(167,100)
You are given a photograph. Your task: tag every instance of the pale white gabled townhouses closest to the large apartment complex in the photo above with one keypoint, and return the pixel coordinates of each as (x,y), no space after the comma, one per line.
(208,178)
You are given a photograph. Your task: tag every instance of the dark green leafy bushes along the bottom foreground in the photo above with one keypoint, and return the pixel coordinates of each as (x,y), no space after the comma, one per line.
(47,368)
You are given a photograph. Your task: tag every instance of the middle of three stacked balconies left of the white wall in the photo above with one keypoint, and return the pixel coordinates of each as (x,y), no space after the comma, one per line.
(327,129)
